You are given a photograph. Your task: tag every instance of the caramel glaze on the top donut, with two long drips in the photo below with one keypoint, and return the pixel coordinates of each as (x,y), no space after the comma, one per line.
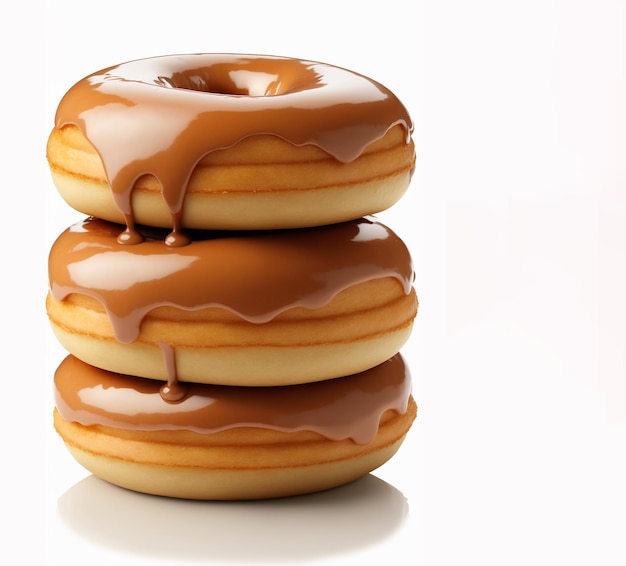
(161,115)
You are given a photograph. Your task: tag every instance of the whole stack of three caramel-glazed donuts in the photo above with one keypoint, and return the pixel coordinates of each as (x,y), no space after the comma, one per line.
(232,311)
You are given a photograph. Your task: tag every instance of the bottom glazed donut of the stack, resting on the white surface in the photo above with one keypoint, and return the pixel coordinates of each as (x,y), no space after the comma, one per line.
(223,442)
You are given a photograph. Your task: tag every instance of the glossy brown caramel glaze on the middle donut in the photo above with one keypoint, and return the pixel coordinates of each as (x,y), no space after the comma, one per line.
(256,275)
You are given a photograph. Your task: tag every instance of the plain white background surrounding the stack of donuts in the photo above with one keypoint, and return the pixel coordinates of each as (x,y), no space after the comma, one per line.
(516,219)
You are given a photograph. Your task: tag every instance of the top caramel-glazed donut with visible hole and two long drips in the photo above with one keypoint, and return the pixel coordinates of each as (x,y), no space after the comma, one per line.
(229,142)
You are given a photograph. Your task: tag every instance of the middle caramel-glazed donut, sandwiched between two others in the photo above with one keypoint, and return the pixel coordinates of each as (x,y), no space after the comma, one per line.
(249,308)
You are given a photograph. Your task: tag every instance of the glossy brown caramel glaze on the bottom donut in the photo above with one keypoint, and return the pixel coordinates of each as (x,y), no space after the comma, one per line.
(347,407)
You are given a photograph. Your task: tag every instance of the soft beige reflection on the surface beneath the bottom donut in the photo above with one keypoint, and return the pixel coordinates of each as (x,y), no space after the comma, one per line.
(305,527)
